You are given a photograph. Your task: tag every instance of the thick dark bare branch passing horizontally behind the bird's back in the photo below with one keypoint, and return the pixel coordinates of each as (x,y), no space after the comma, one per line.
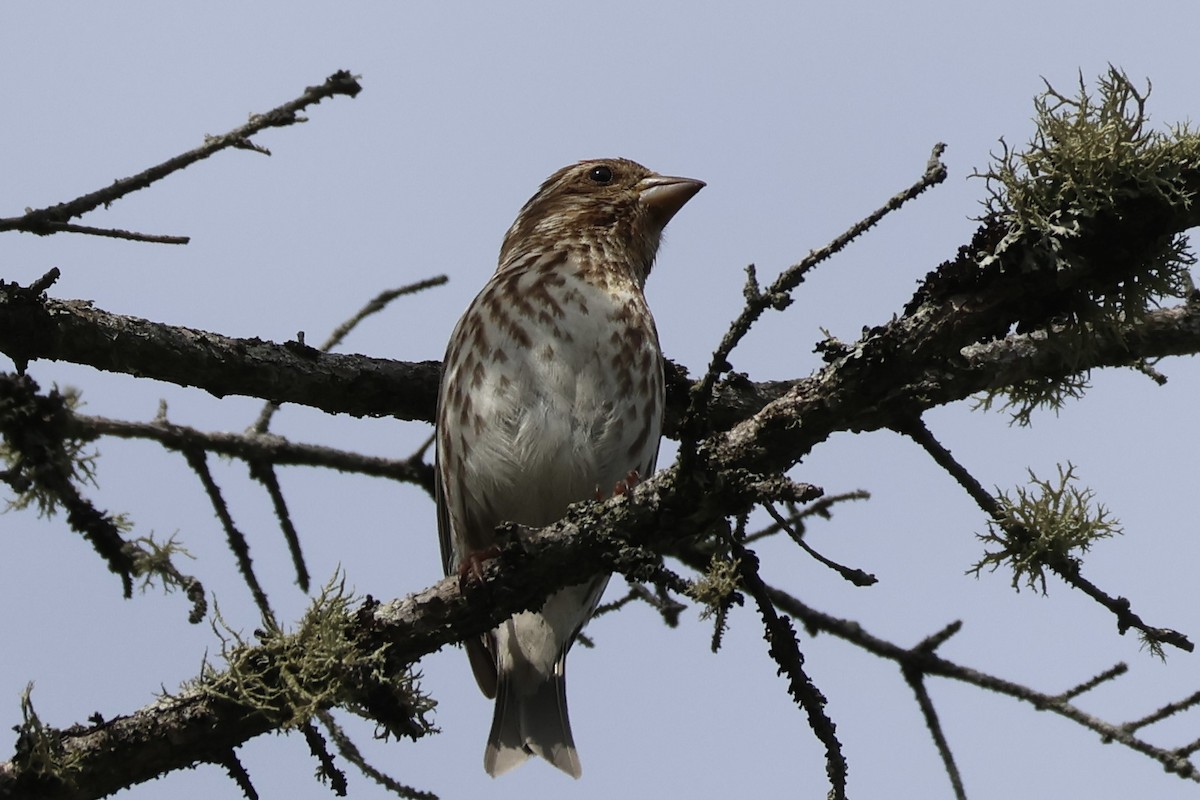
(75,332)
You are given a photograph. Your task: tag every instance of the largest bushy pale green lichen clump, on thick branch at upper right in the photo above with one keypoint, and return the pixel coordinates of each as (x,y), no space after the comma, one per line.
(1099,200)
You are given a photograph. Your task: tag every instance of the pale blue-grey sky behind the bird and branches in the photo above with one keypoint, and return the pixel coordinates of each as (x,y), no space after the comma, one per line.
(801,122)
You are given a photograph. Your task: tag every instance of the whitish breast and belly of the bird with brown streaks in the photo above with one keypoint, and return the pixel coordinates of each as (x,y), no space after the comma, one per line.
(566,393)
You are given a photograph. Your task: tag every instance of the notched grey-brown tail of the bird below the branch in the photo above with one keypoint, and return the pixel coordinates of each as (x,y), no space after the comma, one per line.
(531,720)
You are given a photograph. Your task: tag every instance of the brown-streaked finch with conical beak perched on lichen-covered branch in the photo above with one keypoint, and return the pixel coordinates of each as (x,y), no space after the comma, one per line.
(553,393)
